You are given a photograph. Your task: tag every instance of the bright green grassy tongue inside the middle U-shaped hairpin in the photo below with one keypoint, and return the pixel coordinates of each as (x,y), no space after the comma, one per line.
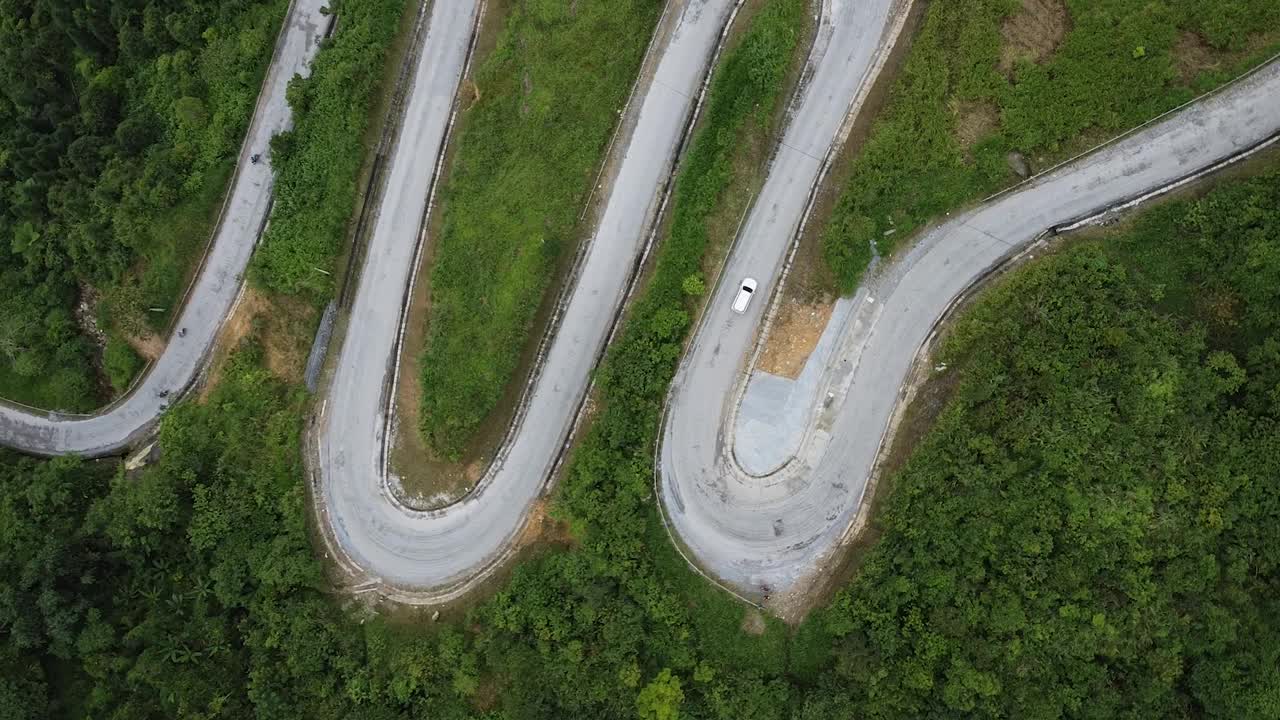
(528,152)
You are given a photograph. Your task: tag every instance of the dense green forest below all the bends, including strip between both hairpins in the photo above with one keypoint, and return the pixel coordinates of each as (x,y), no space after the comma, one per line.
(1092,528)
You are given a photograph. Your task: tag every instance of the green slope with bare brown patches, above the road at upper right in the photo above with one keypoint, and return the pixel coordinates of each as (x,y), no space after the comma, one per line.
(1040,78)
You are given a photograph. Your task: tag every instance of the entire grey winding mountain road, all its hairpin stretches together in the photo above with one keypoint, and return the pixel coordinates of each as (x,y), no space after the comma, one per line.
(758,532)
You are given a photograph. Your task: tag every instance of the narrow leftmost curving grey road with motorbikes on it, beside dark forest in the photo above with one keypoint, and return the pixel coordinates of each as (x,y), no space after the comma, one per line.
(209,303)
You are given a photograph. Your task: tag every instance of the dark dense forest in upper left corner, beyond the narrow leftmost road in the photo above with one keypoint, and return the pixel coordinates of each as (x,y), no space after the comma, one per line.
(120,121)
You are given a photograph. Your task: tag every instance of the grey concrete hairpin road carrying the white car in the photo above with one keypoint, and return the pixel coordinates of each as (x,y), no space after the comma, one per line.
(774,531)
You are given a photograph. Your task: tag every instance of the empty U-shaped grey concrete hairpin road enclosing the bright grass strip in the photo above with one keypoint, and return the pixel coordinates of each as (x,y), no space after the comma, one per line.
(429,557)
